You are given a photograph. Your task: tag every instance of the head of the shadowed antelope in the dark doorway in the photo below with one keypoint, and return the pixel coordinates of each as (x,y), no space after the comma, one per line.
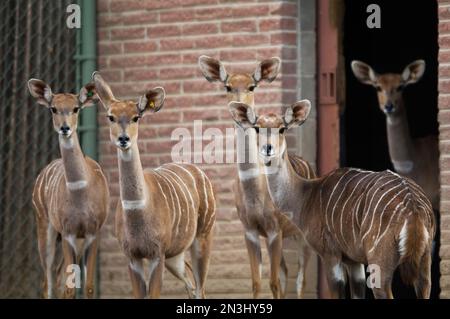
(389,86)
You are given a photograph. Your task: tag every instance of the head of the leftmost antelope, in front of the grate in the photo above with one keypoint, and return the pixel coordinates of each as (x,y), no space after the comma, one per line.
(65,107)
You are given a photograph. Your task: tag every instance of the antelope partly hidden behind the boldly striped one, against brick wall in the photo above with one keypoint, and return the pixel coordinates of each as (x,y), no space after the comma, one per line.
(255,209)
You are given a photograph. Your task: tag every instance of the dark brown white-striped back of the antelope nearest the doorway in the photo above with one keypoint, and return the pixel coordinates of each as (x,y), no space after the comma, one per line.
(363,208)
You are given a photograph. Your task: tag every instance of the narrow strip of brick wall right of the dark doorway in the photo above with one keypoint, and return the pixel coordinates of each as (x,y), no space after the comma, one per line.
(444,127)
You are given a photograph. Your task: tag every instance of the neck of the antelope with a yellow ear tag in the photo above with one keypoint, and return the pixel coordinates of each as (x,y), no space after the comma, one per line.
(131,178)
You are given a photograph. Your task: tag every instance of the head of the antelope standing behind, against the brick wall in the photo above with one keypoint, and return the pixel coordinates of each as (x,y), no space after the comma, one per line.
(239,86)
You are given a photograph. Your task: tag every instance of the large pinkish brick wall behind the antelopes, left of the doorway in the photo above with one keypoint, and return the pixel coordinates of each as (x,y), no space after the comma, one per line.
(150,43)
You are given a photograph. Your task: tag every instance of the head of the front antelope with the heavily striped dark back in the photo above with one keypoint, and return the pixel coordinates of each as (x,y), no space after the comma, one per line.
(271,128)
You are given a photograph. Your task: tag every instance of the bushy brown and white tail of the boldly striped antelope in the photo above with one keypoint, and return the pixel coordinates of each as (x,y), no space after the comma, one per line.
(413,240)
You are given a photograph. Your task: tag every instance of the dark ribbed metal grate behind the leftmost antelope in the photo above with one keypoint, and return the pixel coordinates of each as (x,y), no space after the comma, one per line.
(34,42)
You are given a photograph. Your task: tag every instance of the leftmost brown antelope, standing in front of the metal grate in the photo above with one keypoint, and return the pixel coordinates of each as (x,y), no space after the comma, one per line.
(71,196)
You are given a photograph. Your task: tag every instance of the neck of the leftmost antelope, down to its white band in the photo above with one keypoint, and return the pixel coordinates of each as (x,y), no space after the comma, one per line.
(74,163)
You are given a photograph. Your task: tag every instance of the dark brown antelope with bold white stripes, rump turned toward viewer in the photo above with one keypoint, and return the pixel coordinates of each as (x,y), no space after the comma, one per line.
(350,217)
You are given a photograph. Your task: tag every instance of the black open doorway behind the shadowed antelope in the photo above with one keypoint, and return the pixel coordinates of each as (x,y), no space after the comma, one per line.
(407,33)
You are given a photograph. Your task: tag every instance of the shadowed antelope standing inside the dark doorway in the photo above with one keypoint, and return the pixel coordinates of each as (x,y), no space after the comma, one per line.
(417,159)
